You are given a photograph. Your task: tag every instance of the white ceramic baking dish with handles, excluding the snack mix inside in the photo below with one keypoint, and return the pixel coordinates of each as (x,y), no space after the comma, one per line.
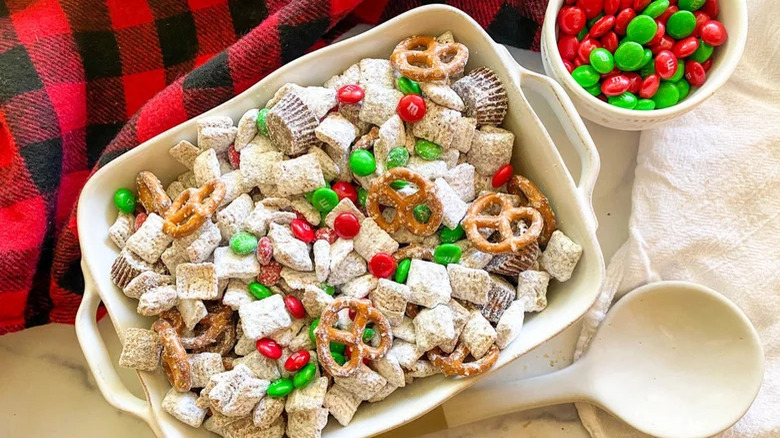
(535,156)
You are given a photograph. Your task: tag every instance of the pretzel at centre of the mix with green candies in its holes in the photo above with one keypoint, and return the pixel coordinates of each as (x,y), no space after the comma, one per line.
(404,205)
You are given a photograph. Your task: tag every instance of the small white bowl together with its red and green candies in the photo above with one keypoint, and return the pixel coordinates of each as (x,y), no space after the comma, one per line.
(632,64)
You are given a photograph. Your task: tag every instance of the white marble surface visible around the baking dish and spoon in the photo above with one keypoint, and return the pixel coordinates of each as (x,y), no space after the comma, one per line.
(47,390)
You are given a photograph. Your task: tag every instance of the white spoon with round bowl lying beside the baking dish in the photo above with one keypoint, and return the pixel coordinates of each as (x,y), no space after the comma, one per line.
(672,359)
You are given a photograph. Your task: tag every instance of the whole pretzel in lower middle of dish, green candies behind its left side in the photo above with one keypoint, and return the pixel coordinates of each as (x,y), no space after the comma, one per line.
(325,333)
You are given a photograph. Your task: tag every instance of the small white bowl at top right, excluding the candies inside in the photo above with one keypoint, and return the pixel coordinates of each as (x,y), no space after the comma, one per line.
(733,15)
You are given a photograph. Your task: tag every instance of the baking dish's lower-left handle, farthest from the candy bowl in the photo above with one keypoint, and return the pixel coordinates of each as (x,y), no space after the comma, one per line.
(101,365)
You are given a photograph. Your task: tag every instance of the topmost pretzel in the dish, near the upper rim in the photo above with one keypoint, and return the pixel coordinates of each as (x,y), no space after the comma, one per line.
(422,58)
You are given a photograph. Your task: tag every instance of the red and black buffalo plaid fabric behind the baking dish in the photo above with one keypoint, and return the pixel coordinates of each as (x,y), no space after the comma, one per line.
(83,81)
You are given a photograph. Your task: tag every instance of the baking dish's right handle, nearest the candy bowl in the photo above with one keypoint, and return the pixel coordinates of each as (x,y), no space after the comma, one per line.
(575,130)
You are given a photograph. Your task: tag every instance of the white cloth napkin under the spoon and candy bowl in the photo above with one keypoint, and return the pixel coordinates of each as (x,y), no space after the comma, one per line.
(706,208)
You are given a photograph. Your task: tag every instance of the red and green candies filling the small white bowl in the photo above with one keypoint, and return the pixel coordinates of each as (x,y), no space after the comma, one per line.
(639,54)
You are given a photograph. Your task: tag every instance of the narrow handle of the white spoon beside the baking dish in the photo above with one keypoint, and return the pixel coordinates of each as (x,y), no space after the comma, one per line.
(567,385)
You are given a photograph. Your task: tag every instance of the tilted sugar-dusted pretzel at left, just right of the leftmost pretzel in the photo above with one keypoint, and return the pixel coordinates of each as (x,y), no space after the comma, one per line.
(189,211)
